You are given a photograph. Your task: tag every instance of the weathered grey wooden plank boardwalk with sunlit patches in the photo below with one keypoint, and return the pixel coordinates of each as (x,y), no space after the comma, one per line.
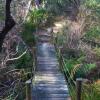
(50,83)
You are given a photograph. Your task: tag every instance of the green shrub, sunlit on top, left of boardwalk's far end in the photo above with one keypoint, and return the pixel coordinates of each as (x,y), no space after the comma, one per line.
(34,20)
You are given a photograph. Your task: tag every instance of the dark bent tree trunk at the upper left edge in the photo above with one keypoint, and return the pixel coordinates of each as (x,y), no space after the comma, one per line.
(9,23)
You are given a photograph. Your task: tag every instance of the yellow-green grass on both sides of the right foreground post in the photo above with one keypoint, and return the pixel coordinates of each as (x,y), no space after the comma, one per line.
(89,92)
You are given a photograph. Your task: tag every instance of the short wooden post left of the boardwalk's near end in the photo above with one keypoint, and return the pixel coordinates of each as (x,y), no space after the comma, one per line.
(28,90)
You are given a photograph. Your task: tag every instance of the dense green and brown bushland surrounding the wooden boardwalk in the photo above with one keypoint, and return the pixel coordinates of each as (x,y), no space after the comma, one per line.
(77,44)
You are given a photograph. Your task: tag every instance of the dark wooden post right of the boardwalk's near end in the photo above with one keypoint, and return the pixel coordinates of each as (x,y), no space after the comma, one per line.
(79,88)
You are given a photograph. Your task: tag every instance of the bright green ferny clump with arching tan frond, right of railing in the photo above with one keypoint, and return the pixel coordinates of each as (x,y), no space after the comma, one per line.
(76,68)
